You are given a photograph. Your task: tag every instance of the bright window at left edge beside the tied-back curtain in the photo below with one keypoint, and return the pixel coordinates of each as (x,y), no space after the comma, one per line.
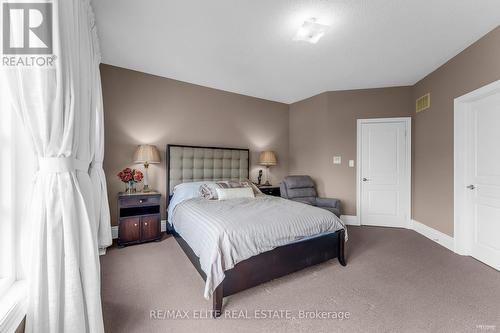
(17,166)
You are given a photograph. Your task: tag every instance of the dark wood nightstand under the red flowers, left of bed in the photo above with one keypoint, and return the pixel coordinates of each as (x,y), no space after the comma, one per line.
(138,218)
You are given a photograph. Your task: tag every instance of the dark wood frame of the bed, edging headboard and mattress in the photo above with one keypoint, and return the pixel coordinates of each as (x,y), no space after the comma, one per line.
(266,266)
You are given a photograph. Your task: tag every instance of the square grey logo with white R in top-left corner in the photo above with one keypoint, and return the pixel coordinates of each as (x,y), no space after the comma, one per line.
(27,28)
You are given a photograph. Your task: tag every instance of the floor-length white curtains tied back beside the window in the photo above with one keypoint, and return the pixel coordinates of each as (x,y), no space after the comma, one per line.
(61,107)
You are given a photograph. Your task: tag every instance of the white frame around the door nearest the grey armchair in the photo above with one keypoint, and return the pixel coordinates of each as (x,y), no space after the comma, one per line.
(407,121)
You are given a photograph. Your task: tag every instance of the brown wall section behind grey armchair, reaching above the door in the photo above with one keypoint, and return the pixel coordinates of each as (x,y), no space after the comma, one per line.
(325,125)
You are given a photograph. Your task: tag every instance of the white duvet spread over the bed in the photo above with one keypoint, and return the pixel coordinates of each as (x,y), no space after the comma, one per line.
(223,233)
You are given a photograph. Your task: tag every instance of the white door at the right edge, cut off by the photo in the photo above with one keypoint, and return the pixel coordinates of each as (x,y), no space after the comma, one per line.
(483,179)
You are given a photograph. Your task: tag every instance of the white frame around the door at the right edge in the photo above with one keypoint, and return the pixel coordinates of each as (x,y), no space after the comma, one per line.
(463,228)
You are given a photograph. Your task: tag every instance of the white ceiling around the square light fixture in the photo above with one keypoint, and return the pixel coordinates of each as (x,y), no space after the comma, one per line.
(246,46)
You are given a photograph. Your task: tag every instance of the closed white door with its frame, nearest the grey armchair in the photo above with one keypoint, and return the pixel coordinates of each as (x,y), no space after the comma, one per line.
(384,172)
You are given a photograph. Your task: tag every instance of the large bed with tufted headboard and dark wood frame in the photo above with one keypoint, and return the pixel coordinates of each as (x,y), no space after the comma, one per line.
(275,236)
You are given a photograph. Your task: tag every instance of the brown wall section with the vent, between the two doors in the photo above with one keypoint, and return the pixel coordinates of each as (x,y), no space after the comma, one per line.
(475,67)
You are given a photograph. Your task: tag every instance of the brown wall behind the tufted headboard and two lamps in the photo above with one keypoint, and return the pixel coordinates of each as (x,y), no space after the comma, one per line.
(141,108)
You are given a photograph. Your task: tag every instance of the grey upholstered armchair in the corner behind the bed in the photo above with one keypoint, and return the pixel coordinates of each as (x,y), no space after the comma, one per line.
(302,189)
